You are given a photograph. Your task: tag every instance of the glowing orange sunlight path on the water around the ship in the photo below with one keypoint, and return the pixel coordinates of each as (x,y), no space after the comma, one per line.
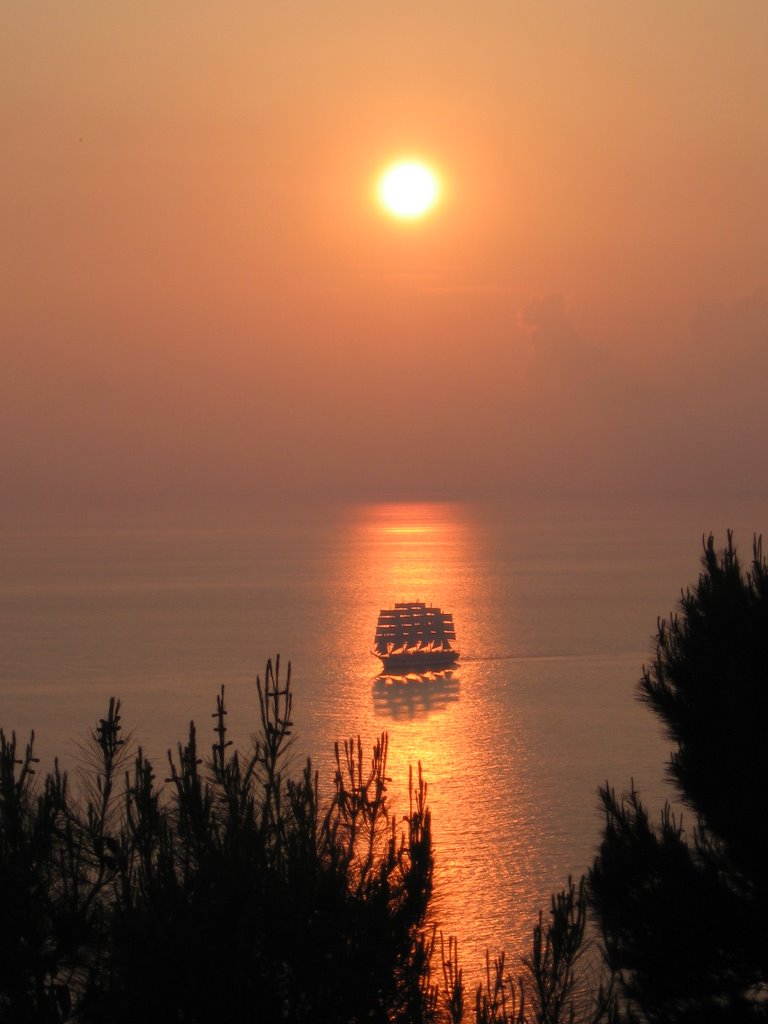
(453,726)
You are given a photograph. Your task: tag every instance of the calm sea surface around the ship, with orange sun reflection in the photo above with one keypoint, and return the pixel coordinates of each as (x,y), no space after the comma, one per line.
(556,606)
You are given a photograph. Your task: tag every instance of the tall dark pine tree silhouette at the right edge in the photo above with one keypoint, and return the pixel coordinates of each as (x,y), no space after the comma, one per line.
(684,913)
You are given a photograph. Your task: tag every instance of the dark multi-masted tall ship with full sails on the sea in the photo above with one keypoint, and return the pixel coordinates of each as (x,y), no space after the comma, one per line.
(415,637)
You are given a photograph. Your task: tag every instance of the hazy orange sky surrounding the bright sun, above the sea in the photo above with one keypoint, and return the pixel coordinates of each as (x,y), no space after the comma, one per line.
(201,298)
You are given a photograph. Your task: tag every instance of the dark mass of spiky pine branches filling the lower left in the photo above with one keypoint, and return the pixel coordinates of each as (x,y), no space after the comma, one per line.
(234,899)
